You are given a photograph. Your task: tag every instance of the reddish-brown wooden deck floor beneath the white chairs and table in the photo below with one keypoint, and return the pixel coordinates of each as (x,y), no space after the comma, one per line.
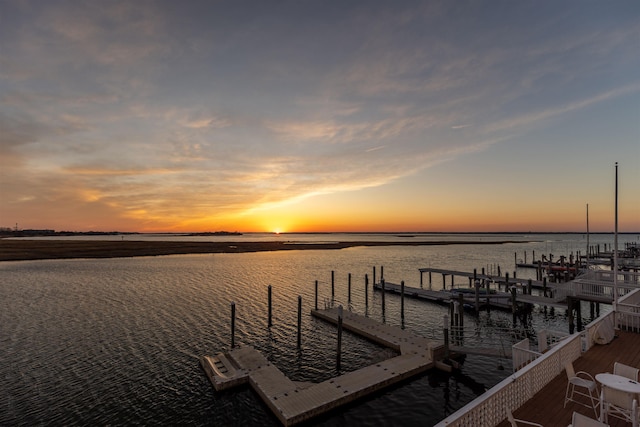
(546,407)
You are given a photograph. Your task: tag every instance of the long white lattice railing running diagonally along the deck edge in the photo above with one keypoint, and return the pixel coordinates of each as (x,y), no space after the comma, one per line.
(515,390)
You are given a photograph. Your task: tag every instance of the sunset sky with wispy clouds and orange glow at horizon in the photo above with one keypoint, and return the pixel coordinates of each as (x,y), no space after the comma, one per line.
(309,115)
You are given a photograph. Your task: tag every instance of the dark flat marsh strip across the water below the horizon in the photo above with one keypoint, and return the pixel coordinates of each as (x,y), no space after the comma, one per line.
(27,250)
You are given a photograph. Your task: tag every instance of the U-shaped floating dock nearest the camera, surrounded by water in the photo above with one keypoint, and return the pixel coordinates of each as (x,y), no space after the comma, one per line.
(294,402)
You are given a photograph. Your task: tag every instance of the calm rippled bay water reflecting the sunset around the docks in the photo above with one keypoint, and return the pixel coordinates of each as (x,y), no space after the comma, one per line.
(118,341)
